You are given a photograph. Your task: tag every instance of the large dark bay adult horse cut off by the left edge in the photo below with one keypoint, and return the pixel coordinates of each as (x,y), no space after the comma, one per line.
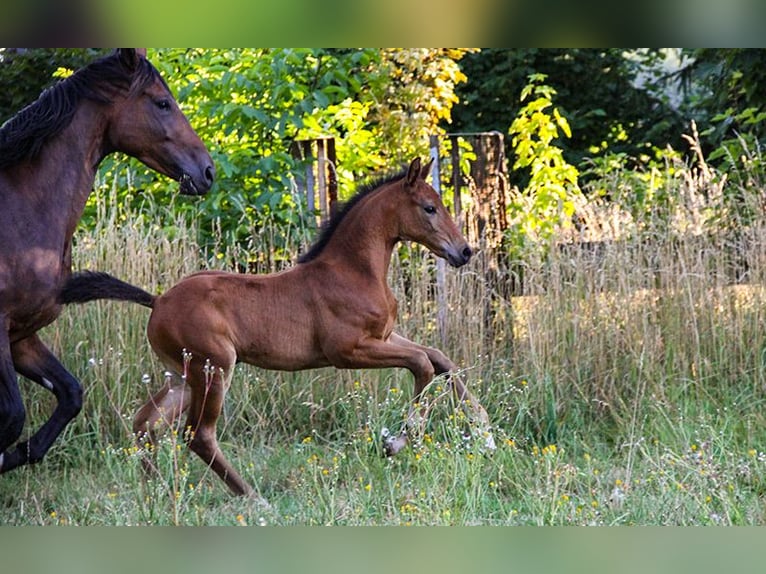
(49,154)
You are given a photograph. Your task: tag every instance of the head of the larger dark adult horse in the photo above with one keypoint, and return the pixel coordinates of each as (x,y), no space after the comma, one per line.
(147,123)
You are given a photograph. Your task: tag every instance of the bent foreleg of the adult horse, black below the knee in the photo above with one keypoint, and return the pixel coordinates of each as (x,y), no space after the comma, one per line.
(33,360)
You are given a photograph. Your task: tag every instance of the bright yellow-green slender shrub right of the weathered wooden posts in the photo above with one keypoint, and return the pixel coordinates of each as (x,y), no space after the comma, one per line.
(547,201)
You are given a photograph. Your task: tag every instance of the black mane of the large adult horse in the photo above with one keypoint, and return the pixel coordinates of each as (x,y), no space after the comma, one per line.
(24,134)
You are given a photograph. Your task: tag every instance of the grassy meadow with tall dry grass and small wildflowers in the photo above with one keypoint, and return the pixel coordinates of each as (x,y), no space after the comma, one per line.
(624,382)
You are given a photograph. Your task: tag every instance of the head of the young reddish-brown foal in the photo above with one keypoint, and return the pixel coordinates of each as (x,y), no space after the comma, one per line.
(424,218)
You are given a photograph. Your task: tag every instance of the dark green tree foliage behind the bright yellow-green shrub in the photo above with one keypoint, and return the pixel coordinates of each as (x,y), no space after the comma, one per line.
(600,91)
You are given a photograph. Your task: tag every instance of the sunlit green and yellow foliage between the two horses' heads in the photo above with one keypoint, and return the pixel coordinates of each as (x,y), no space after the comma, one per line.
(250,105)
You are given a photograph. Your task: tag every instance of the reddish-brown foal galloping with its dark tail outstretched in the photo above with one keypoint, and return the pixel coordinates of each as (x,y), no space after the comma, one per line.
(334,308)
